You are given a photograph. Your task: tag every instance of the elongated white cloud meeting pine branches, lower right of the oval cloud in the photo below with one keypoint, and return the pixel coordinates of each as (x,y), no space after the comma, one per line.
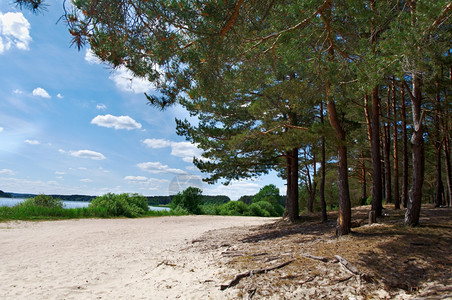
(185,150)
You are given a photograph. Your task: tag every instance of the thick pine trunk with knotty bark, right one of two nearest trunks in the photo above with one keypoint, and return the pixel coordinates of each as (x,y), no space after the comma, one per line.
(417,145)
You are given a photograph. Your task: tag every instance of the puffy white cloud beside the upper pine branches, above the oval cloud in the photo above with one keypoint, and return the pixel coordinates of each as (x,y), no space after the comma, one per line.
(127,82)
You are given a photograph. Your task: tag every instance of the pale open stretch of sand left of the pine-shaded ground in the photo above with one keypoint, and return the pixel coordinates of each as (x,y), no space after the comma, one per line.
(148,258)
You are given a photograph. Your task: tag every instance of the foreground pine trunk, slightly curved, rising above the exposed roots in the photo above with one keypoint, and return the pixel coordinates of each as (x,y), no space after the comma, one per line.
(345,213)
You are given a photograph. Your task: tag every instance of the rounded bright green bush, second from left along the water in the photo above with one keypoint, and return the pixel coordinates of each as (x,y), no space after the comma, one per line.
(126,205)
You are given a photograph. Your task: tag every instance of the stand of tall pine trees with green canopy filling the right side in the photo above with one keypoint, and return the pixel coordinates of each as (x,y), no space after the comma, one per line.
(348,100)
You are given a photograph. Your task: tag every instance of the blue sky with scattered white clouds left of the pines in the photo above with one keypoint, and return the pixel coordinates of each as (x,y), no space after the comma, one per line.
(70,125)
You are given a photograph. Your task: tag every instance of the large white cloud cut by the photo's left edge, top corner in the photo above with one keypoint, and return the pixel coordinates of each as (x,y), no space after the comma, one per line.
(14,32)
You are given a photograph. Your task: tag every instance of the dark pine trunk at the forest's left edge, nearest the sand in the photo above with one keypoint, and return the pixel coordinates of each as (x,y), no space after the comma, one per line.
(292,209)
